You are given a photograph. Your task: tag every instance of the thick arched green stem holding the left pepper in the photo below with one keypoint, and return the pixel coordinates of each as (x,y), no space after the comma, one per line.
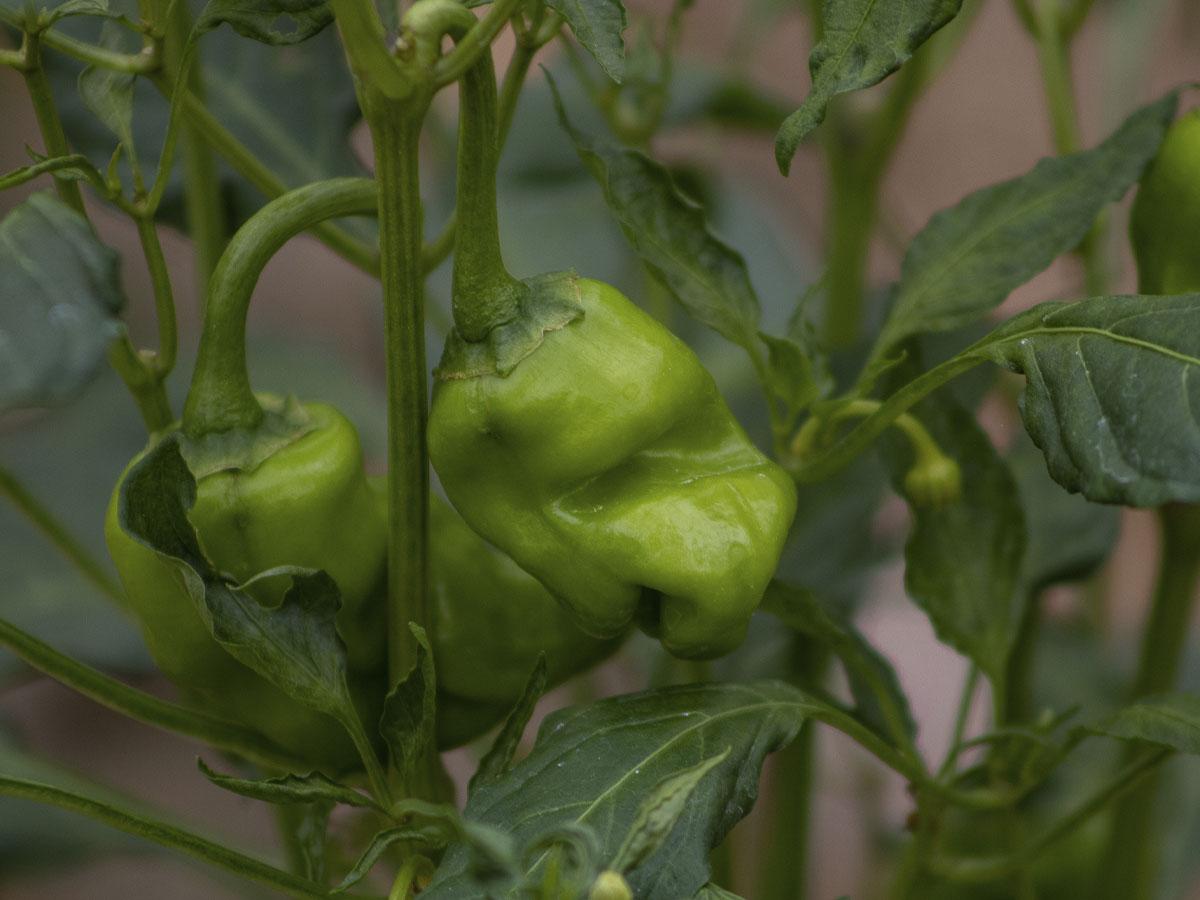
(221,398)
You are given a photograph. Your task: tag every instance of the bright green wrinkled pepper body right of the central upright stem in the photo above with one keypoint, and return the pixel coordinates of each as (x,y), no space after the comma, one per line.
(608,465)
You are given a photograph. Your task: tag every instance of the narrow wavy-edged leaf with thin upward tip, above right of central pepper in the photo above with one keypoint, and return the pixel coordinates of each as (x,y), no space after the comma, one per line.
(671,236)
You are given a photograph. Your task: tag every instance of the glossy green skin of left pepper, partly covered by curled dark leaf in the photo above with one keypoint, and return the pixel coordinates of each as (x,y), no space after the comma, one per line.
(308,505)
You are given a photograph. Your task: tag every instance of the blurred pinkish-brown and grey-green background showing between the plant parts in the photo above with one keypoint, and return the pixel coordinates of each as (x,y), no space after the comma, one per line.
(316,332)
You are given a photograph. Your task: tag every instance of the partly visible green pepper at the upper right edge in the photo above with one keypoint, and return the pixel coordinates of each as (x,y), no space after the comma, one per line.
(1165,223)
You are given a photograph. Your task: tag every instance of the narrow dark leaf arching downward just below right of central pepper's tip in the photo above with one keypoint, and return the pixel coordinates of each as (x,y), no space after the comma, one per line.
(873,681)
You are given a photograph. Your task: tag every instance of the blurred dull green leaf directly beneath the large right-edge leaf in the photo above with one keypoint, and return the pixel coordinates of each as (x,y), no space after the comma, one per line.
(1070,537)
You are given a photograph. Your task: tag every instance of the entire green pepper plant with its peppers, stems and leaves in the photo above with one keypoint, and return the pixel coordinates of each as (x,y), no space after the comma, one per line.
(331,633)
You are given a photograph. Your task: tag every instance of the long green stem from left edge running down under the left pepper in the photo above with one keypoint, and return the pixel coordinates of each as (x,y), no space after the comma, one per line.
(145,707)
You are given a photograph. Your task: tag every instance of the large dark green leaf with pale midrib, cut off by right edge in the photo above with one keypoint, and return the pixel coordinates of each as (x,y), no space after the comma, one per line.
(1112,394)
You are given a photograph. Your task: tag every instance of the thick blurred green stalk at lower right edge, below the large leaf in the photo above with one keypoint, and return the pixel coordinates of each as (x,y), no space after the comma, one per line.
(1132,855)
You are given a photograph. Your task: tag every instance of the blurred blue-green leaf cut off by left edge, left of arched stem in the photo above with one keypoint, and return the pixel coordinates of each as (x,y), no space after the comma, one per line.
(61,295)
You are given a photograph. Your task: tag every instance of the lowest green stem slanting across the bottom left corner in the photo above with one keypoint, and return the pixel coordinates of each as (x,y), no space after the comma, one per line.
(166,836)
